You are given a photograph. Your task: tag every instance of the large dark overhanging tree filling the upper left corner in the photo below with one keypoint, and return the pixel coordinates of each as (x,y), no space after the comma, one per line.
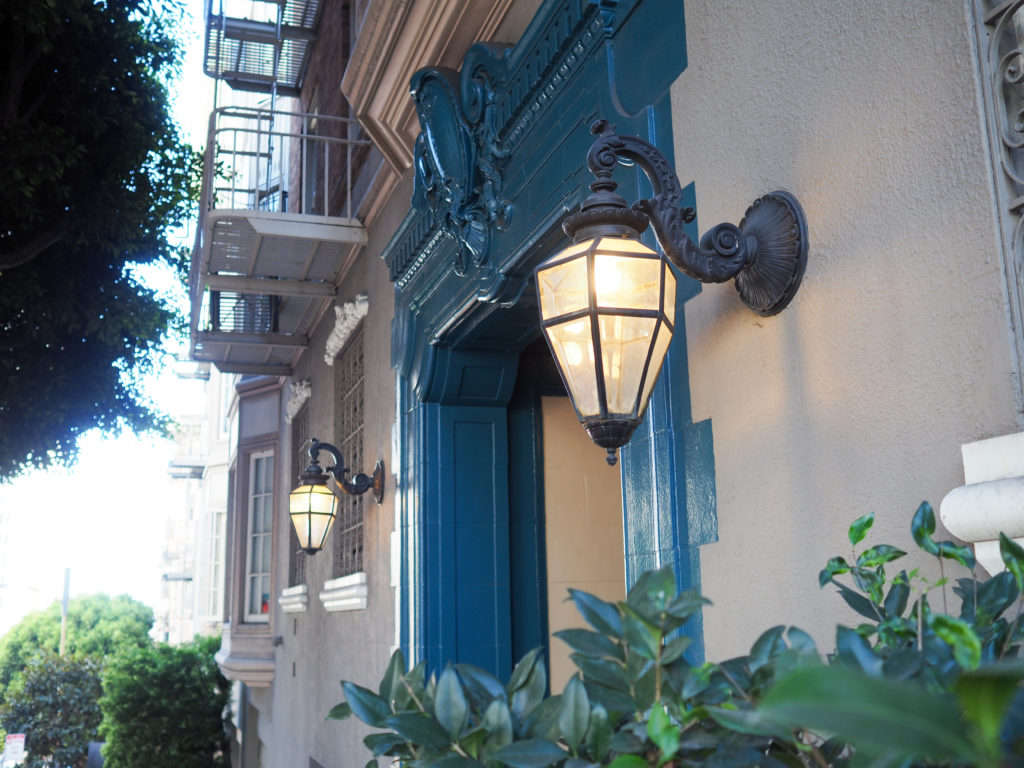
(96,177)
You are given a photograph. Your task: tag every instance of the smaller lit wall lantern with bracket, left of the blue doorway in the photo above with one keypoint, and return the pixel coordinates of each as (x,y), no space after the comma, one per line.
(313,506)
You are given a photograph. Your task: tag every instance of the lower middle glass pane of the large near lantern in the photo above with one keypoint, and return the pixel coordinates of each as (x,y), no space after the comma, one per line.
(625,343)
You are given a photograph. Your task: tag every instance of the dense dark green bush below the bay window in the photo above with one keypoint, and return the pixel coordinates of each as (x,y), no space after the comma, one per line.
(163,708)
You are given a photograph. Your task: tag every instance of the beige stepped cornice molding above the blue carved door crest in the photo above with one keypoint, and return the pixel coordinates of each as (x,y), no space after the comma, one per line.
(398,38)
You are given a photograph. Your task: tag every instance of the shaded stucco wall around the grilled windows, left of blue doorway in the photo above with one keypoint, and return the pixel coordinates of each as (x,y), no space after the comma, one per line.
(327,648)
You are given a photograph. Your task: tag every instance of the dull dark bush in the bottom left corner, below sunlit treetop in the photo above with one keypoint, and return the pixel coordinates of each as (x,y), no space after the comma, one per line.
(57,705)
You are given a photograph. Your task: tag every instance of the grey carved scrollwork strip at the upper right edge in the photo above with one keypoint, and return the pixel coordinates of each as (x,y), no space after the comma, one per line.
(1002,53)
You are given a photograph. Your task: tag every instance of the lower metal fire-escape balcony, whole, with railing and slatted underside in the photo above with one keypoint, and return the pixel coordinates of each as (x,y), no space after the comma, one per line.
(277,228)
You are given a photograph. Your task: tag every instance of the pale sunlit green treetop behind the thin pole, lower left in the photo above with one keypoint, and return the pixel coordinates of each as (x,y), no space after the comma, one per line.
(98,626)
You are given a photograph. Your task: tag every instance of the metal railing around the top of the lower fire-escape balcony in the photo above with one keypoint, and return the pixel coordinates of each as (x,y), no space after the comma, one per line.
(282,162)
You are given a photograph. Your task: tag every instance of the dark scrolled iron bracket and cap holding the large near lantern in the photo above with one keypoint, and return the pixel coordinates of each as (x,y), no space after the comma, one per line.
(766,253)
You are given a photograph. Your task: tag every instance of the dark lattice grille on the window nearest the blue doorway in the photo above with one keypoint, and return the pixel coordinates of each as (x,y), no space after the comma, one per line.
(349,429)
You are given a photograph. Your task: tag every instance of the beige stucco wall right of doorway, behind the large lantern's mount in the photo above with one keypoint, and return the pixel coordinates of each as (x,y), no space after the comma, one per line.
(897,350)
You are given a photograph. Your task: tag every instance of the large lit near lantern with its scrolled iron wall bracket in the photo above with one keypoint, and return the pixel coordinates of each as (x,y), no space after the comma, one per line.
(608,302)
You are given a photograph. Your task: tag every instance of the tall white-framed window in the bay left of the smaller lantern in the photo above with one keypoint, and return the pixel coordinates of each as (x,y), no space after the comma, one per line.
(260,537)
